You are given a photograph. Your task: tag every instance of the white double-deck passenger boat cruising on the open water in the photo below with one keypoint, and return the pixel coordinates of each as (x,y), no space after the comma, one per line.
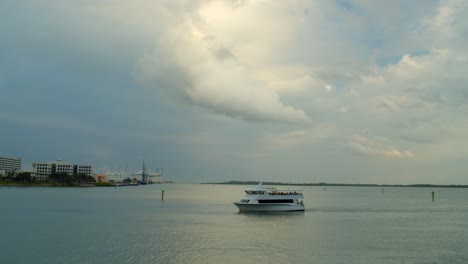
(269,199)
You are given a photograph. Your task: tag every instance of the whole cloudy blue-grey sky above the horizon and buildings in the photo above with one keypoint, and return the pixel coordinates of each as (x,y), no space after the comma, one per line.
(354,91)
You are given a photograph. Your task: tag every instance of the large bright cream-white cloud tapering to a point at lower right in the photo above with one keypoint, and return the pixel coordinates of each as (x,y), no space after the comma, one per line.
(204,58)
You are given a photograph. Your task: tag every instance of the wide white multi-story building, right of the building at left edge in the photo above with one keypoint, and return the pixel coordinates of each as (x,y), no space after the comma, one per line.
(42,170)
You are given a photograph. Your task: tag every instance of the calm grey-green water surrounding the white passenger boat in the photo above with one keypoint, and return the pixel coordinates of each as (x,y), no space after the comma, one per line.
(199,224)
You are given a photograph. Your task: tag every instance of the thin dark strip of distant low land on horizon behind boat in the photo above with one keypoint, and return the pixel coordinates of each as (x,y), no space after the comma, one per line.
(339,184)
